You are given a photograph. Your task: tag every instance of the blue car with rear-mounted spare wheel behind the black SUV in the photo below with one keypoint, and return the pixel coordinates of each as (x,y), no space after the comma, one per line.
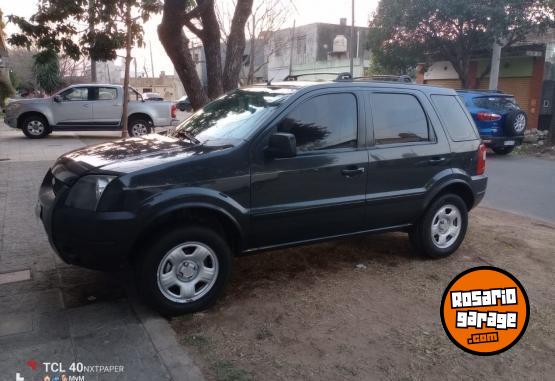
(500,120)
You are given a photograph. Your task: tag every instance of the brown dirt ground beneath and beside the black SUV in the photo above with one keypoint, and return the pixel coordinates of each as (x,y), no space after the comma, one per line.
(311,313)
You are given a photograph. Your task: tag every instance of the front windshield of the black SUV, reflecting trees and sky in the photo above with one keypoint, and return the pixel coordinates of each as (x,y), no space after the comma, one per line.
(233,116)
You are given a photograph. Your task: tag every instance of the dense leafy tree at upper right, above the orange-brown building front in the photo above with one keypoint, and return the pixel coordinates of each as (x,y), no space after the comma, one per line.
(403,32)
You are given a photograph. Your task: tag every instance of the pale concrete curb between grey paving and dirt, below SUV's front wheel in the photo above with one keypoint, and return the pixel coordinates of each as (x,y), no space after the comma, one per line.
(174,357)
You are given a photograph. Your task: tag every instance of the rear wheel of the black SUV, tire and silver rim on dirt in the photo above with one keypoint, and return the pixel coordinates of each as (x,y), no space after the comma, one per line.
(421,236)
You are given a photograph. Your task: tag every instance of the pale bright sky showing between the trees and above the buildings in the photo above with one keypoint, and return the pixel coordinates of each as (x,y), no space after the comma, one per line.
(304,12)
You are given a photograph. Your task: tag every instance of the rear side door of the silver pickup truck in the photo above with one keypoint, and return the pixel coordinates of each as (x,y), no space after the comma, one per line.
(107,107)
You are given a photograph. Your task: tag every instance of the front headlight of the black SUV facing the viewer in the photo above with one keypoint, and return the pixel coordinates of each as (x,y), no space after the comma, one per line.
(86,193)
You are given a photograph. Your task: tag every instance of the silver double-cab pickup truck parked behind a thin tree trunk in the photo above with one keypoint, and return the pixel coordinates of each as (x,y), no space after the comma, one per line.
(87,108)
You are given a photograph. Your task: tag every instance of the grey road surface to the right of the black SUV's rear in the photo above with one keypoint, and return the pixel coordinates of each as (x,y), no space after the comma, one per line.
(521,184)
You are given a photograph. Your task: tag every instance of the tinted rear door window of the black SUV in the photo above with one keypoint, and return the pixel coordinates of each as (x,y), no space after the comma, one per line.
(398,118)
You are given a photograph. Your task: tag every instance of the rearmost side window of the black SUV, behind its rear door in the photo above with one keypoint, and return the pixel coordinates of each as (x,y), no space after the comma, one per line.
(454,118)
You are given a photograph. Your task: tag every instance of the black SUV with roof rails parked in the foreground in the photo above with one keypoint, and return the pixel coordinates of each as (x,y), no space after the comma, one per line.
(266,167)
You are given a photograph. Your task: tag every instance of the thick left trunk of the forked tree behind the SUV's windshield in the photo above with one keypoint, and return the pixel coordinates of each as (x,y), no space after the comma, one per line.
(176,45)
